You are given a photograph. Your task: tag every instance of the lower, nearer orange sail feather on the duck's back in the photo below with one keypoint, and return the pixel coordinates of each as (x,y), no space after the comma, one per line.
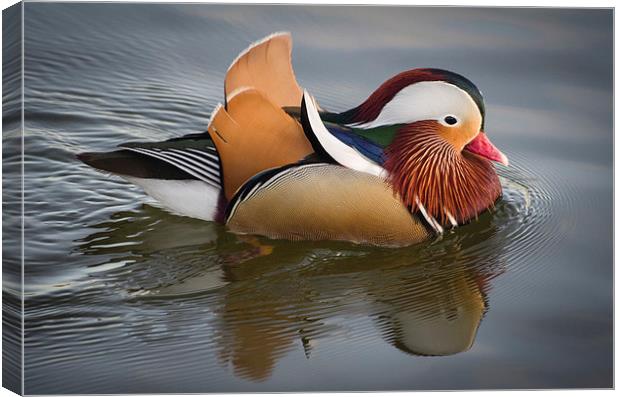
(253,134)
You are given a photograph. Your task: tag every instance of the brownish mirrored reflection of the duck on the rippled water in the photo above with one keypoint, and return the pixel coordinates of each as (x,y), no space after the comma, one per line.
(273,297)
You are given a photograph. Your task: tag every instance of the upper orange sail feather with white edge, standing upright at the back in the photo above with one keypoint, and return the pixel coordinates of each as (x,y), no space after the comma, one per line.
(266,66)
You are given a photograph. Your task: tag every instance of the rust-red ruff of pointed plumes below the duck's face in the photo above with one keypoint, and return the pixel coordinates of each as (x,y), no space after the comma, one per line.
(425,169)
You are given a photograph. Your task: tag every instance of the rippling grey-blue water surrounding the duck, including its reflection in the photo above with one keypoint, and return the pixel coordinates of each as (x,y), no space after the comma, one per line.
(124,297)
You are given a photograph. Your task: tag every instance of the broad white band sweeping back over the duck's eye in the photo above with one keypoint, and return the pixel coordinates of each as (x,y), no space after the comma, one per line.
(428,100)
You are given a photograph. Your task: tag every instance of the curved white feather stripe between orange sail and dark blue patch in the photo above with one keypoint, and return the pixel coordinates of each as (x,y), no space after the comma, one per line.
(342,153)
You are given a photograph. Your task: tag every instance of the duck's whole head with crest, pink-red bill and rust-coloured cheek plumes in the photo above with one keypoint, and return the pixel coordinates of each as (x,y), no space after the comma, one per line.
(431,125)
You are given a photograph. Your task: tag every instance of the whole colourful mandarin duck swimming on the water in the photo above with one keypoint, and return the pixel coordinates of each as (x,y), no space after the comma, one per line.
(407,163)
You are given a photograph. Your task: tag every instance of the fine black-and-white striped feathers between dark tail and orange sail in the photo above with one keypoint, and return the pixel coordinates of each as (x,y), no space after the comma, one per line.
(203,164)
